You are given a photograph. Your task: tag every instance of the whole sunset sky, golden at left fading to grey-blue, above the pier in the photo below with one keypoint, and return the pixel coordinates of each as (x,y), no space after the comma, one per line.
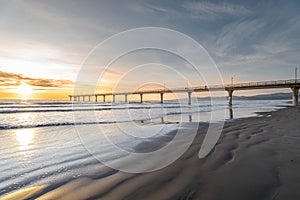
(45,44)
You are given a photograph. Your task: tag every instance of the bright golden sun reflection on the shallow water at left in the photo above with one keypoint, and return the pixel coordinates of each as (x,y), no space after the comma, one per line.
(25,138)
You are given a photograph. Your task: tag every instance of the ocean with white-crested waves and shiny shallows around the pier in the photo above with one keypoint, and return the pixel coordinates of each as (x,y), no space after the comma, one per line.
(40,143)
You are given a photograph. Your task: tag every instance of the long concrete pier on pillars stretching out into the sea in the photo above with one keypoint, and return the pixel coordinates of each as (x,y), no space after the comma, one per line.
(293,84)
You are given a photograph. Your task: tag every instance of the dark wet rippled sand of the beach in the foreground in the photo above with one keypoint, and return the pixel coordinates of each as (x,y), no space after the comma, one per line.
(255,158)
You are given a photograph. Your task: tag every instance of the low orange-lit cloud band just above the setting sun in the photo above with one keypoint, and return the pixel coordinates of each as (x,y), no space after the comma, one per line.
(12,79)
